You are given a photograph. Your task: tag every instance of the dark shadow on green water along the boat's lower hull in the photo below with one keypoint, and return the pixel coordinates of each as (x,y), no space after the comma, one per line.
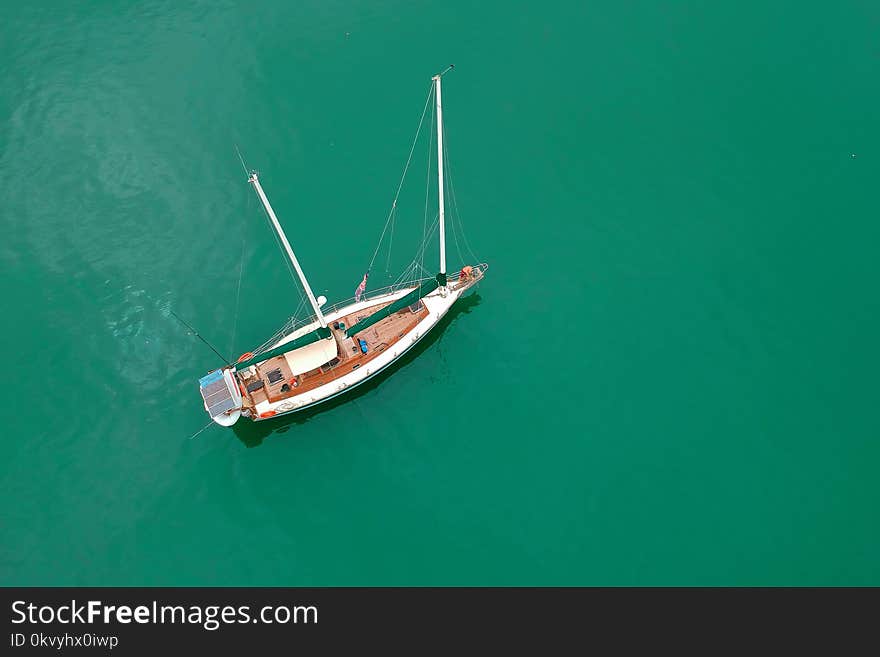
(252,434)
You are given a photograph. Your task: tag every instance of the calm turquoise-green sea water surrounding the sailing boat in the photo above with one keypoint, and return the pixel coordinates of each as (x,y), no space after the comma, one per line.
(668,377)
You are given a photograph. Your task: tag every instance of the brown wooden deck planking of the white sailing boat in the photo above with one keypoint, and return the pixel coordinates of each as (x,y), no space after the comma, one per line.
(279,383)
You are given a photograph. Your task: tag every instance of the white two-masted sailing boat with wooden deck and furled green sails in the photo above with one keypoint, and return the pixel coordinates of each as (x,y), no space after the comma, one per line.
(340,347)
